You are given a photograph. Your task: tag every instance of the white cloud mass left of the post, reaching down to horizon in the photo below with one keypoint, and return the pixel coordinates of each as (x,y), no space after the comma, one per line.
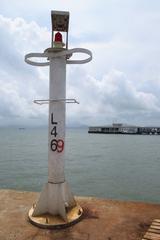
(19,83)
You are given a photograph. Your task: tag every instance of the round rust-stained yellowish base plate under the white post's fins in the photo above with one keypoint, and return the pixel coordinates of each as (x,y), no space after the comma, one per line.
(49,221)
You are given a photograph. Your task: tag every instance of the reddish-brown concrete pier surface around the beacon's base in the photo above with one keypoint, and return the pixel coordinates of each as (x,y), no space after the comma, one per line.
(102,219)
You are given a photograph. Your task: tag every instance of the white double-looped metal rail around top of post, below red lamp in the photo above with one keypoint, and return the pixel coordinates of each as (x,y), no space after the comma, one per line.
(58,54)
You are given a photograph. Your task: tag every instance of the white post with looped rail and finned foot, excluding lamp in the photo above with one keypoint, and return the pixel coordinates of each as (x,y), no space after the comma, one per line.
(56,197)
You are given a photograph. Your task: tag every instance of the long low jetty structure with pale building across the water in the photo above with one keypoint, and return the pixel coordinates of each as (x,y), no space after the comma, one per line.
(119,128)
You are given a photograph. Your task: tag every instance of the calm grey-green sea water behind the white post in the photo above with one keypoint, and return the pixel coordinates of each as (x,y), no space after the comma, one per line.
(125,167)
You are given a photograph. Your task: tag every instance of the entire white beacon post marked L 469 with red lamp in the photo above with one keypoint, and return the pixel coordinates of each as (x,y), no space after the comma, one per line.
(56,206)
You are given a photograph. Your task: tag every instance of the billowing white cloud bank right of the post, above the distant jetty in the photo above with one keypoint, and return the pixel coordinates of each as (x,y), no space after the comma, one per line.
(111,98)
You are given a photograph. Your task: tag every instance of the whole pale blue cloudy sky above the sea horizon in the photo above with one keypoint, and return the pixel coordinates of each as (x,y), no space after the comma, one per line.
(121,84)
